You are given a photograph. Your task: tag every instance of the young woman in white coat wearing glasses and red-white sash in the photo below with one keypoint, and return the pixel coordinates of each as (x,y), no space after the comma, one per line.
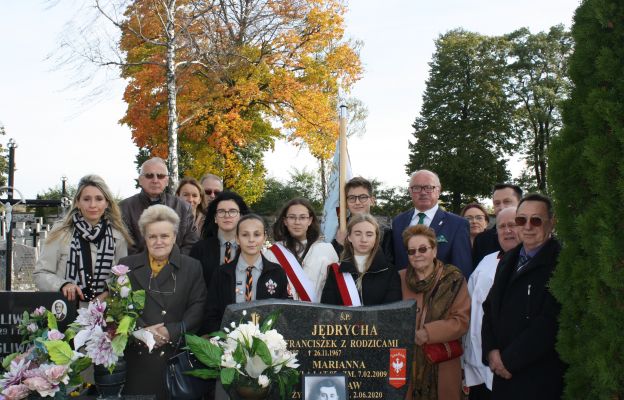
(300,253)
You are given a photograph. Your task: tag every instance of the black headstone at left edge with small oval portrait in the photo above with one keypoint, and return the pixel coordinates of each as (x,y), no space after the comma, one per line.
(12,307)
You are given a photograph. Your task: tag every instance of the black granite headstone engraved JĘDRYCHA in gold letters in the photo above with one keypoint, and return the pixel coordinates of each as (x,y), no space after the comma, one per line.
(372,345)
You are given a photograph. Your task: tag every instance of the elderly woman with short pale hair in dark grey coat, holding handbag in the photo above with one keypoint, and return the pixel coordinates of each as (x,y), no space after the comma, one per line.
(174,299)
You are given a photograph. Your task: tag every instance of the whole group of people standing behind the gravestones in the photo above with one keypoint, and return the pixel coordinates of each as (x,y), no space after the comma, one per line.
(199,250)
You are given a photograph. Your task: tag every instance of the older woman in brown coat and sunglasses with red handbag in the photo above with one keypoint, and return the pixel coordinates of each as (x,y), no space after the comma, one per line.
(443,313)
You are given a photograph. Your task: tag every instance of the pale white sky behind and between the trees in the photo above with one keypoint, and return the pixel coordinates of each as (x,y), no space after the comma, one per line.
(39,111)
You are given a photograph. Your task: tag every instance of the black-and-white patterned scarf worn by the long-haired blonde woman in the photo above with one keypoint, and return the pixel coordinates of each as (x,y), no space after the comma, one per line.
(90,275)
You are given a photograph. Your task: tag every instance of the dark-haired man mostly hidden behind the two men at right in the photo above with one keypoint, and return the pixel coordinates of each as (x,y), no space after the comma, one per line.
(505,195)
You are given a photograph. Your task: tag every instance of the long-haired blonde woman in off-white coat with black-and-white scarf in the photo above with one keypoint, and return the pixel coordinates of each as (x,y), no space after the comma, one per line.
(77,257)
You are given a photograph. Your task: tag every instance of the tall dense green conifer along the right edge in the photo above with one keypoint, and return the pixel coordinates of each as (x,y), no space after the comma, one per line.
(587,176)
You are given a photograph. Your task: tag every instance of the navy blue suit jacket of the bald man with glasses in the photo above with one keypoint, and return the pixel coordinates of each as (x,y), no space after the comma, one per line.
(453,235)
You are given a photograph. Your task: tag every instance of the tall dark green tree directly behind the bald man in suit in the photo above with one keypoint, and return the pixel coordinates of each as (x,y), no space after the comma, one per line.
(464,129)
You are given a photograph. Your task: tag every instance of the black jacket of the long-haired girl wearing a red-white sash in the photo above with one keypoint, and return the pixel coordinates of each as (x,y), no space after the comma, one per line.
(381,284)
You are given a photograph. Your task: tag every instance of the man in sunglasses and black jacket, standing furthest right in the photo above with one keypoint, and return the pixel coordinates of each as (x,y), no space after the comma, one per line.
(520,314)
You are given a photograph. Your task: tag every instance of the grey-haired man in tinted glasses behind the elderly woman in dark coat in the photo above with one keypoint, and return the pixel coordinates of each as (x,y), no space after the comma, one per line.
(153,179)
